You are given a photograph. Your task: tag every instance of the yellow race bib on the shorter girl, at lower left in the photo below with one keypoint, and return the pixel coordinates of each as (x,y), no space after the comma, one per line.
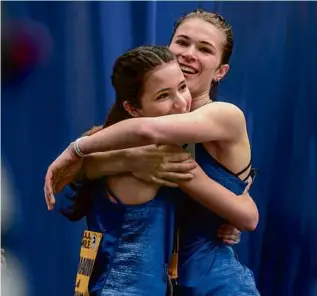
(88,253)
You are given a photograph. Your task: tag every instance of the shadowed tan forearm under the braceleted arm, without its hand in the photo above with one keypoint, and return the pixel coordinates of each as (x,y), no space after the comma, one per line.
(101,164)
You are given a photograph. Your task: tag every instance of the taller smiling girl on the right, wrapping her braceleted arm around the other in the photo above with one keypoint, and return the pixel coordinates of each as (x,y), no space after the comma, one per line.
(202,43)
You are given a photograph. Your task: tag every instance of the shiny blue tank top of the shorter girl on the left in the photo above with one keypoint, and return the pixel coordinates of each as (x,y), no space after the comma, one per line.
(136,245)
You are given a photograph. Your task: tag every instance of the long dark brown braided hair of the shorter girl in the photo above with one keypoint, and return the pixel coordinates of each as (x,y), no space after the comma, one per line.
(127,78)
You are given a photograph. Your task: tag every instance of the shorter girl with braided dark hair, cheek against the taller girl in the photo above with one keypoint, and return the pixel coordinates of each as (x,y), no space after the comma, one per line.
(136,219)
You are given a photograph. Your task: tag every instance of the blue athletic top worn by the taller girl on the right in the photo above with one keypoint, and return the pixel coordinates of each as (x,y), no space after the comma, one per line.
(206,266)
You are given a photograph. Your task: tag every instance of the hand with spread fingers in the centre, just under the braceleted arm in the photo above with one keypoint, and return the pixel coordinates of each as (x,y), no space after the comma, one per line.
(164,165)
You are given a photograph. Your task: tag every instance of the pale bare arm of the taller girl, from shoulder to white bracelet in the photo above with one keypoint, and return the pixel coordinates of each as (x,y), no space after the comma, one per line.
(216,121)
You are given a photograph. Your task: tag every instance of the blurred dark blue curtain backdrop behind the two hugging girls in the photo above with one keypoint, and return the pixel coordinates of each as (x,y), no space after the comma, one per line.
(60,86)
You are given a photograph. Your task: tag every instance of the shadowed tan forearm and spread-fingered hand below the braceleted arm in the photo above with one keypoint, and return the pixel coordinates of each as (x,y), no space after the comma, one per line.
(163,165)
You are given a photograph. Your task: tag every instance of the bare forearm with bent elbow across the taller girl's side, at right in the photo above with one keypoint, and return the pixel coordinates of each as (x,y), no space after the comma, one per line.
(240,211)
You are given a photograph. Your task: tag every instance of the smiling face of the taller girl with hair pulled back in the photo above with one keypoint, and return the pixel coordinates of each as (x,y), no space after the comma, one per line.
(199,45)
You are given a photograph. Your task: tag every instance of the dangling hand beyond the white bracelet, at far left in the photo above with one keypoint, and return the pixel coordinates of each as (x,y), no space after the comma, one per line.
(61,172)
